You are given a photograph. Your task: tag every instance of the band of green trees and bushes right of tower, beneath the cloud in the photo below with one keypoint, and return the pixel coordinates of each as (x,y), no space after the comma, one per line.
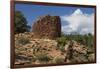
(86,40)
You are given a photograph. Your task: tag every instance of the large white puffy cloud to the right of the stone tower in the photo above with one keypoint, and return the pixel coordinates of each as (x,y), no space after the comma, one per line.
(79,22)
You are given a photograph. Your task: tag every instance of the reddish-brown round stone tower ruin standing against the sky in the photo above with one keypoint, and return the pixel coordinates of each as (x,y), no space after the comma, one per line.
(47,27)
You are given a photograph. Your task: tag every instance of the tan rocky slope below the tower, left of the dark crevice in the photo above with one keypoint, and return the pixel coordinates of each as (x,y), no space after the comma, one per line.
(35,51)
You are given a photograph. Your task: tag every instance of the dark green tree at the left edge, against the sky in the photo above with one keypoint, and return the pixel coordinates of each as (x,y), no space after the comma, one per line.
(20,23)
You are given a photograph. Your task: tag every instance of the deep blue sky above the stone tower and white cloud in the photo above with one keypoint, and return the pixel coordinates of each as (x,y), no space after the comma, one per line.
(31,12)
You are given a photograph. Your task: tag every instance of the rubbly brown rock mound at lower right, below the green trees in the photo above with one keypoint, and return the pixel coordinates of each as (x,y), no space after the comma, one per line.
(78,53)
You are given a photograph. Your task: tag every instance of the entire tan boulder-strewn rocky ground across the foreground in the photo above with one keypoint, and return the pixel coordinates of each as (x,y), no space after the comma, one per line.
(29,50)
